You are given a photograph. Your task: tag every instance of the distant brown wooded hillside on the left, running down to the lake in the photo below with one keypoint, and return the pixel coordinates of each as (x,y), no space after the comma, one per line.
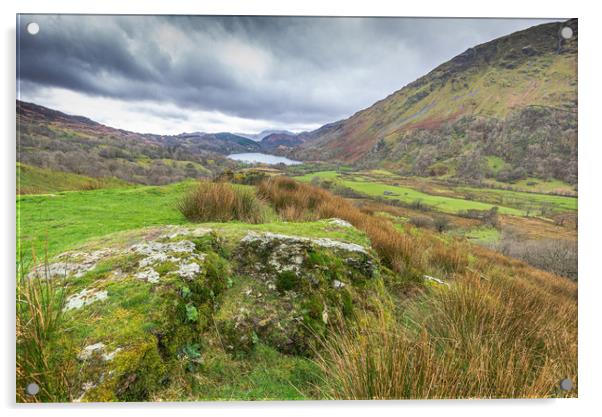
(54,140)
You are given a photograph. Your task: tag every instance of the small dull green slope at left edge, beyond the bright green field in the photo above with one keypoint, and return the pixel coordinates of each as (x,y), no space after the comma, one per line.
(34,180)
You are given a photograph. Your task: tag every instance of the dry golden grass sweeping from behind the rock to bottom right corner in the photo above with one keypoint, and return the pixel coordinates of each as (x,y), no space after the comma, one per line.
(501,330)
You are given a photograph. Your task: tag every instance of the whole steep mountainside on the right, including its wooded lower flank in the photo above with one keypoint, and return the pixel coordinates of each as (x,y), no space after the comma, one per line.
(514,98)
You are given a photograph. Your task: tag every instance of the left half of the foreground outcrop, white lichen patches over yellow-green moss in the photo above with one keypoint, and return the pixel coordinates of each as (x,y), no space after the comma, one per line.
(131,303)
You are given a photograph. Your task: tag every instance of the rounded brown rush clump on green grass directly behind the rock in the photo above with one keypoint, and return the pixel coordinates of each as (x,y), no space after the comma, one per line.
(221,202)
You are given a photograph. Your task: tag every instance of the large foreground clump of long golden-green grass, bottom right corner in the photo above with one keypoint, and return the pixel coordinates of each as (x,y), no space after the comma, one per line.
(480,339)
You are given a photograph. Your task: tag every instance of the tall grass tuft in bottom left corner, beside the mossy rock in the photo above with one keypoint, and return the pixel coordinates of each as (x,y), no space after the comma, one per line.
(39,313)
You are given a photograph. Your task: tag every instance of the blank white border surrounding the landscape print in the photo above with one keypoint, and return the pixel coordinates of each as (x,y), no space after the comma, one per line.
(590,204)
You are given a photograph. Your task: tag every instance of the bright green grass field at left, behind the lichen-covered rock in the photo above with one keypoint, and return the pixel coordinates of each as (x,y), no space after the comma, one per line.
(64,219)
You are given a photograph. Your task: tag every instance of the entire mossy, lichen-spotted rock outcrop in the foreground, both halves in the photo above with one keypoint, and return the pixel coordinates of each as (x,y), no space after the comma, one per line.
(143,309)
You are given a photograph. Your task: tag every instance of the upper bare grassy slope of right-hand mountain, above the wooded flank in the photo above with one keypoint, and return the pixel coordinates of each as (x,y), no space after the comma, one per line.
(465,85)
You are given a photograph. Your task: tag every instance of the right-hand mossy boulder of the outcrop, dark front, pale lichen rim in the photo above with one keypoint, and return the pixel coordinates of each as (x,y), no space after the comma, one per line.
(292,290)
